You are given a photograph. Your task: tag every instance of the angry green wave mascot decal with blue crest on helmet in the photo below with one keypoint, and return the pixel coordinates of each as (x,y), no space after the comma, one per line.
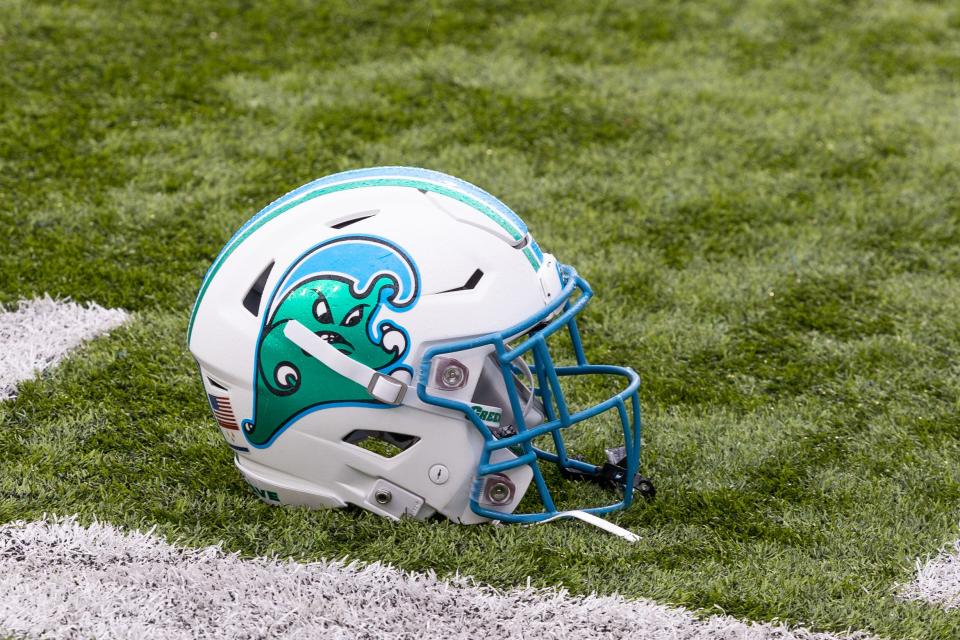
(337,290)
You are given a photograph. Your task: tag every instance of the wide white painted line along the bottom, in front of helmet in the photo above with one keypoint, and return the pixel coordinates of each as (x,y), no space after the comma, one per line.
(61,580)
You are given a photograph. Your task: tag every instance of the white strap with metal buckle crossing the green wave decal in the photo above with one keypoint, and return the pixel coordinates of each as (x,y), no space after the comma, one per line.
(384,388)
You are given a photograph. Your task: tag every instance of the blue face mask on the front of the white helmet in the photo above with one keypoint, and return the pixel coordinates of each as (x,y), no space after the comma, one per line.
(537,407)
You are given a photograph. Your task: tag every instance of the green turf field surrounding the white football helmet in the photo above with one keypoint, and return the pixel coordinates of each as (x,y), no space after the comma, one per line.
(765,196)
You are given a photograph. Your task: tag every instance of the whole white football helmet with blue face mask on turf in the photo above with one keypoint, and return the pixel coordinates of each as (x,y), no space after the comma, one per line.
(378,338)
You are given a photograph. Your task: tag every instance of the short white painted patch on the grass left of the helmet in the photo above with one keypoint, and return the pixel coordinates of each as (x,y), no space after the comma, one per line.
(40,332)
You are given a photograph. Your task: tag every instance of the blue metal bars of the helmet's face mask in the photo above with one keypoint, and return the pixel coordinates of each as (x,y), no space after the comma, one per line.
(529,338)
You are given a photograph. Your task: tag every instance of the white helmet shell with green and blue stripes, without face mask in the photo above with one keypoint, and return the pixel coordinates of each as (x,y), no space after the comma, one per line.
(426,258)
